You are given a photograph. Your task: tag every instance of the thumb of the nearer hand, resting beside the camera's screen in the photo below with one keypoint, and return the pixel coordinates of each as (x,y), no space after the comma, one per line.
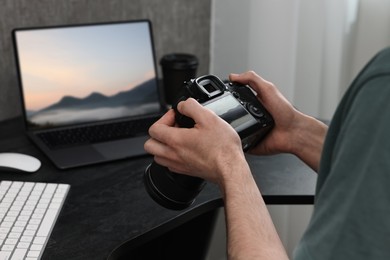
(191,108)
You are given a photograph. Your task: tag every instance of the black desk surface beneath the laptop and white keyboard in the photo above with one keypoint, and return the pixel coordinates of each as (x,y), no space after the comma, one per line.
(107,203)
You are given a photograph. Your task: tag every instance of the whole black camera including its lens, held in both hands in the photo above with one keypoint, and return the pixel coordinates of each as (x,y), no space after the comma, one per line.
(236,104)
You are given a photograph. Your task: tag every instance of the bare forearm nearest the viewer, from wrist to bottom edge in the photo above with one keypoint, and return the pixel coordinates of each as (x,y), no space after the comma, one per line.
(251,232)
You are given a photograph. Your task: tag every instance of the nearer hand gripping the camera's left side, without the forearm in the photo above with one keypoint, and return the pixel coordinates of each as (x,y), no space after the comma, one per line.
(202,151)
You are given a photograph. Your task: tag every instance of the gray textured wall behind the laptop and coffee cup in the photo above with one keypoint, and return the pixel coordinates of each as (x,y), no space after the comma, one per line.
(178,25)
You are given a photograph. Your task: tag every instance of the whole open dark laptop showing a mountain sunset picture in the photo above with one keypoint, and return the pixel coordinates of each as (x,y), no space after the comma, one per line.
(89,92)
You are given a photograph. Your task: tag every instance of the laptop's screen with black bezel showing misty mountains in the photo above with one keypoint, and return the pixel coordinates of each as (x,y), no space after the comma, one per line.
(87,73)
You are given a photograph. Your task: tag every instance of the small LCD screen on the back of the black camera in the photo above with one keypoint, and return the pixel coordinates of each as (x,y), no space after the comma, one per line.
(229,109)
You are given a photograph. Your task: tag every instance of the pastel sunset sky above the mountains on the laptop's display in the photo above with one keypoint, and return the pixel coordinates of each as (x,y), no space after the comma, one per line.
(77,61)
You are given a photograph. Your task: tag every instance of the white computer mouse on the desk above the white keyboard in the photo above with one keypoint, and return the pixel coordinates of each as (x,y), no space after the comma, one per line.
(19,162)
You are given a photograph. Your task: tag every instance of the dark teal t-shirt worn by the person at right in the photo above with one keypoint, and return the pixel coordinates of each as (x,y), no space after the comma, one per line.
(351,218)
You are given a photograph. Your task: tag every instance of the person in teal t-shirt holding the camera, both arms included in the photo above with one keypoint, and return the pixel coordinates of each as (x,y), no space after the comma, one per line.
(350,219)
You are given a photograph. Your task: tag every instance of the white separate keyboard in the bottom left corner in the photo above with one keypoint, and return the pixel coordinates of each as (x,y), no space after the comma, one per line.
(28,212)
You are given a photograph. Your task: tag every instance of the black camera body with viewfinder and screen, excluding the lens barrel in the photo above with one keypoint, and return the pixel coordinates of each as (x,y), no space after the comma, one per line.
(237,104)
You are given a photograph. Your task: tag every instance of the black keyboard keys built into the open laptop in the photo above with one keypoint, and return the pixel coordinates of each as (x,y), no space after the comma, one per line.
(96,133)
